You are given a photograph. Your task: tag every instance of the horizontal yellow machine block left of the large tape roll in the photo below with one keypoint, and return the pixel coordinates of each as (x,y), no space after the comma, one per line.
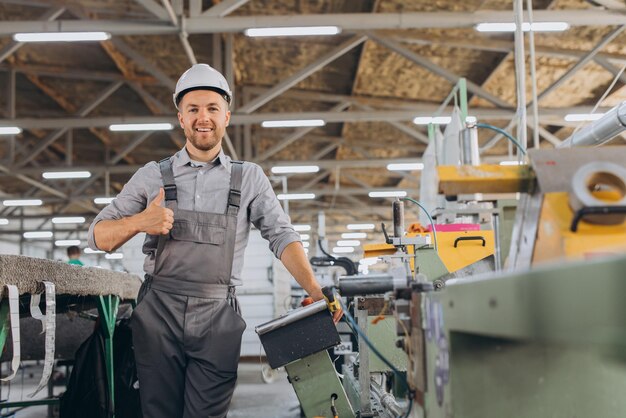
(486,178)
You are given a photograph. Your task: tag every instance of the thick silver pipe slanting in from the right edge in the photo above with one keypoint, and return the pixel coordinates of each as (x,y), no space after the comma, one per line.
(603,130)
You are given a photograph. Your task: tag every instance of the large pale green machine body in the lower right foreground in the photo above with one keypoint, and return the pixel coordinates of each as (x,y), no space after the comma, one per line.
(548,342)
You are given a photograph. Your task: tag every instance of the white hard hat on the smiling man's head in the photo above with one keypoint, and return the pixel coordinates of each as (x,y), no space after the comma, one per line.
(201,77)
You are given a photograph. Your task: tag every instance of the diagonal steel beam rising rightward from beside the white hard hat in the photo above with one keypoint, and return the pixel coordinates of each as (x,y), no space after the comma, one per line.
(302,74)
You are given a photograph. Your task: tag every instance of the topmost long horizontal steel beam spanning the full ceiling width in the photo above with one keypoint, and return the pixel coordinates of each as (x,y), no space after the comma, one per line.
(347,21)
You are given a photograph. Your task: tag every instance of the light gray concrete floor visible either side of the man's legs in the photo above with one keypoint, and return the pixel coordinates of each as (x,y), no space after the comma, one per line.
(252,398)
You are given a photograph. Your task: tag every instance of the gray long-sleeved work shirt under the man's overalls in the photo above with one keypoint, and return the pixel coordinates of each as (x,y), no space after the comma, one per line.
(204,188)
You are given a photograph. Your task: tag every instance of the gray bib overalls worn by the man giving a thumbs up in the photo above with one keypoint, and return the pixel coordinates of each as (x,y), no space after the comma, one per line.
(187,328)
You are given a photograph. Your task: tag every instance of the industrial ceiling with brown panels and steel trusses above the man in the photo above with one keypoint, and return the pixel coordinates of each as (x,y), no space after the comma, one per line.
(393,60)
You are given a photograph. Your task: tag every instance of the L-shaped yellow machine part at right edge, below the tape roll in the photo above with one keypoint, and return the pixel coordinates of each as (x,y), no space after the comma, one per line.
(555,240)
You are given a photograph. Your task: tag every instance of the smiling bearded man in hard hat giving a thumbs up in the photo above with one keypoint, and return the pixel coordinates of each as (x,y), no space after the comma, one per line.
(196,208)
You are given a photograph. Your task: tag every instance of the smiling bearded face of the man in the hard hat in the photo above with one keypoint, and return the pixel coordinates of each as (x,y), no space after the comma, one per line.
(204,116)
